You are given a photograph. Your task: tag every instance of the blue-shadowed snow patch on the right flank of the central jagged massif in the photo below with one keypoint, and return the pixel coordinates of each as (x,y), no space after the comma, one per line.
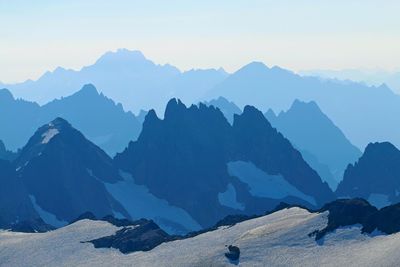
(265,185)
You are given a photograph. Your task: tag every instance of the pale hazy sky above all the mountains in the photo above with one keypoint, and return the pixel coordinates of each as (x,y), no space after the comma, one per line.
(297,34)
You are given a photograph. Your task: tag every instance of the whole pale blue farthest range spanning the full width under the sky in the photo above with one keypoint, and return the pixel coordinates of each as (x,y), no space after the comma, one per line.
(129,78)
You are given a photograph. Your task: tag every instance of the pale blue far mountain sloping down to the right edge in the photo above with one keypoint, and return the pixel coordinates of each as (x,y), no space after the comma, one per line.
(363,113)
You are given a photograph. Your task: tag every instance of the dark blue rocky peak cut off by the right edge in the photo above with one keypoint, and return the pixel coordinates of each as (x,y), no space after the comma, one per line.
(375,176)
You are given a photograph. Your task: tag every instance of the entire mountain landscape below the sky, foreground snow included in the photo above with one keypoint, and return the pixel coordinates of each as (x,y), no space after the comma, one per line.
(258,167)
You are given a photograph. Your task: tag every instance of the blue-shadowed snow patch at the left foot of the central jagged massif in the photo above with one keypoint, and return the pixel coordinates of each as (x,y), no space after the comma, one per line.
(140,203)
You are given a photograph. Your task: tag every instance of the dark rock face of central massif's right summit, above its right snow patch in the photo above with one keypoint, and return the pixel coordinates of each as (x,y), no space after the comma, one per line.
(268,149)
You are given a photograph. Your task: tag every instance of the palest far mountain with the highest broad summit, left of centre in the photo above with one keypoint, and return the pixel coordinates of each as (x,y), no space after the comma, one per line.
(125,76)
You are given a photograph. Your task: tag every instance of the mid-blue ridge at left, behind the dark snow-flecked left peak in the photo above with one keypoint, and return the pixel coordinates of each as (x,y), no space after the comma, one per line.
(99,118)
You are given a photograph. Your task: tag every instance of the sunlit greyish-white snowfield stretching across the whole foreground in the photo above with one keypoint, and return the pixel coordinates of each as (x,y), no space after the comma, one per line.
(279,239)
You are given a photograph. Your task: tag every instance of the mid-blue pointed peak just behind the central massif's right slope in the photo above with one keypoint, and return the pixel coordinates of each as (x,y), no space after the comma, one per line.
(318,139)
